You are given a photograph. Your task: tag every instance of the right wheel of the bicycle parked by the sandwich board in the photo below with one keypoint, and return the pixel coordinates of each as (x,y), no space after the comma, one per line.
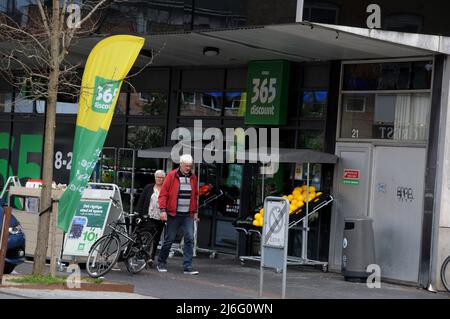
(140,252)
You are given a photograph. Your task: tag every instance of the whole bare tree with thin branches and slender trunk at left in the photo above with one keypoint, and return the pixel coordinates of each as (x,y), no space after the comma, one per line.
(34,51)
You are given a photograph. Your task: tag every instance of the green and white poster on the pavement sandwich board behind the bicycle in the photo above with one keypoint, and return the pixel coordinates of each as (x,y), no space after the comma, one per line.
(86,227)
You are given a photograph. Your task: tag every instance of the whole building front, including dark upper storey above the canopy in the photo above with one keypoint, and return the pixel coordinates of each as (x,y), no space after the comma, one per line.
(377,104)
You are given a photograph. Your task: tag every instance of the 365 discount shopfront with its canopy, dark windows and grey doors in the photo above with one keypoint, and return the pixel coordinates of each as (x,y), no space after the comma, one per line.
(371,98)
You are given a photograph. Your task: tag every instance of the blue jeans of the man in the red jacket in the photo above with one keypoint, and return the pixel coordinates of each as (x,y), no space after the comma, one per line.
(173,224)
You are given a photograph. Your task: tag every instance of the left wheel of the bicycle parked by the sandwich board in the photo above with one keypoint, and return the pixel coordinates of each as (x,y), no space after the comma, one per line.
(102,256)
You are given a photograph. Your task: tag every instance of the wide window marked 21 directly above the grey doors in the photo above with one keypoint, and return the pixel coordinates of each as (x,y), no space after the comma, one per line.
(386,116)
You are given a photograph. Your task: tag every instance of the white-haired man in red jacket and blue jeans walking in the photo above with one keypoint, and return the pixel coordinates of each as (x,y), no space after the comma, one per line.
(178,204)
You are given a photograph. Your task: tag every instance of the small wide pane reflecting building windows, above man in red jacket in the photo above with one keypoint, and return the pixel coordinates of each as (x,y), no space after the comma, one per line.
(201,103)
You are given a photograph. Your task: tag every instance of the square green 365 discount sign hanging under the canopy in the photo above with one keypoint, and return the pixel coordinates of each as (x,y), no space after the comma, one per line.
(267,92)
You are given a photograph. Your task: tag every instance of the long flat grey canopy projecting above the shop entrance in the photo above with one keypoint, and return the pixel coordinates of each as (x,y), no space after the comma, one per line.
(296,42)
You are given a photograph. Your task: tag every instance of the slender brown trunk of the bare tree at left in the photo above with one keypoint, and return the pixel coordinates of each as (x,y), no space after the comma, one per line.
(49,142)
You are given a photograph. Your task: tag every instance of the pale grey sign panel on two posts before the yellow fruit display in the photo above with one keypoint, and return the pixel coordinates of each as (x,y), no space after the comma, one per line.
(274,238)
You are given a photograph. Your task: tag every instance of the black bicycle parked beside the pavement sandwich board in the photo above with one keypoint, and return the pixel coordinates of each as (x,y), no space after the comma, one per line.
(135,248)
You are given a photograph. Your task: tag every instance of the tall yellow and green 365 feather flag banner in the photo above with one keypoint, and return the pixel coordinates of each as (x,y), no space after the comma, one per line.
(108,64)
